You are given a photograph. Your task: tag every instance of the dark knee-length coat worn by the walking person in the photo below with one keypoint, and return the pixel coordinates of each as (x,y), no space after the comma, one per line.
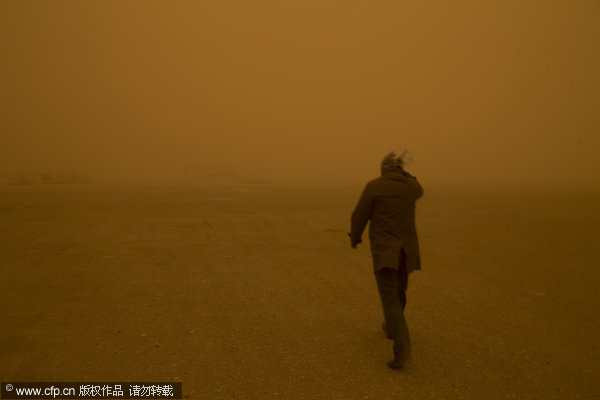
(389,203)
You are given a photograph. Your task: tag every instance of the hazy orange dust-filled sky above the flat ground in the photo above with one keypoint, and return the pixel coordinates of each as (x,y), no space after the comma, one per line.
(492,92)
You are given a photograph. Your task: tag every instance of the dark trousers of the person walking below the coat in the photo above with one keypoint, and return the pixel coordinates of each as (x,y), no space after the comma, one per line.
(392,285)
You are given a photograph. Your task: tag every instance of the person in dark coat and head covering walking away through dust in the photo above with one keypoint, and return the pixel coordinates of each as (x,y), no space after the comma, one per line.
(388,203)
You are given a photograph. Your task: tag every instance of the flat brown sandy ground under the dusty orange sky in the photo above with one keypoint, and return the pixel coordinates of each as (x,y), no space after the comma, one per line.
(254,293)
